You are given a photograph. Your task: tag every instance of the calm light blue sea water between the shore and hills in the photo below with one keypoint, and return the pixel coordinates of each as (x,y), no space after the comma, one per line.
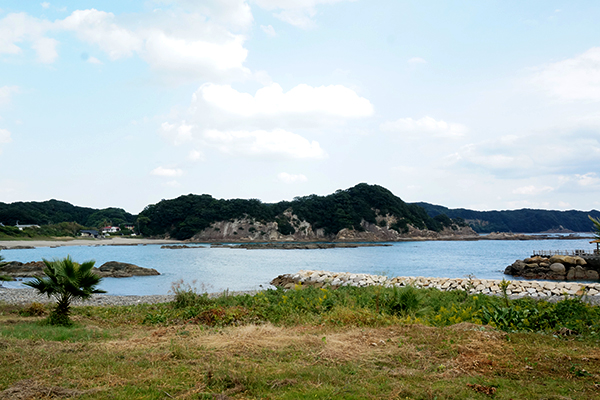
(238,269)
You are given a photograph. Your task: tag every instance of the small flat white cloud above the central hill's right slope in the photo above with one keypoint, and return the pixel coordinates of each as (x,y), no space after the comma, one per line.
(425,125)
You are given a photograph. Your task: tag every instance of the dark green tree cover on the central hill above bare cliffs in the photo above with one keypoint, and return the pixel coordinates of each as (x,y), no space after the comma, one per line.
(186,216)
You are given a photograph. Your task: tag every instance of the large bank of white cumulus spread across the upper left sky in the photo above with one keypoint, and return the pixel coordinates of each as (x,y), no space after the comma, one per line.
(194,47)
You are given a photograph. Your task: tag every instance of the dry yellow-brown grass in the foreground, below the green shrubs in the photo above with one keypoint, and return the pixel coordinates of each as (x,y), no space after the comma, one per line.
(305,361)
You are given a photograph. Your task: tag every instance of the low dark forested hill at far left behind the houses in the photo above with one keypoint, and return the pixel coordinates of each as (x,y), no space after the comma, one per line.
(55,212)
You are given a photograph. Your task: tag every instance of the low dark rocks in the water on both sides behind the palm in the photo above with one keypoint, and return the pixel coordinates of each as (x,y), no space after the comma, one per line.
(111,269)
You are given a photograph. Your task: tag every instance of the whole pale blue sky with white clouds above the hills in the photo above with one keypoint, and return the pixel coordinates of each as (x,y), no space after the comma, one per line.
(486,105)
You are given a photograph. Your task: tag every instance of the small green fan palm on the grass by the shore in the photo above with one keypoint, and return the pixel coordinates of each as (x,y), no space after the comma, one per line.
(66,281)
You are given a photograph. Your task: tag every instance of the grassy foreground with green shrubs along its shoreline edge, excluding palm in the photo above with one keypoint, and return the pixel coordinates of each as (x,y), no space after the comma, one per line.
(352,343)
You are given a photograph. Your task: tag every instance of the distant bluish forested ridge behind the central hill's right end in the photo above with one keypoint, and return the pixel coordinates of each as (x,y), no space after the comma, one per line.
(518,221)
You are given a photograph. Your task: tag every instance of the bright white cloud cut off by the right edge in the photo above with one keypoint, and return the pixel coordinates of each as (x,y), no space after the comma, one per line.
(572,79)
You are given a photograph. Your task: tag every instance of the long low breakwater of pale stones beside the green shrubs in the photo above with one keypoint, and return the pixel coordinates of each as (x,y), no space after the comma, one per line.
(539,289)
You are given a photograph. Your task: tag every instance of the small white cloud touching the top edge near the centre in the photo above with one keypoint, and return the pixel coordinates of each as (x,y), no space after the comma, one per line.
(295,12)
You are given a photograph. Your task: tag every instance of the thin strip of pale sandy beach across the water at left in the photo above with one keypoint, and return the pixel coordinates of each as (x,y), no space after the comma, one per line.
(116,241)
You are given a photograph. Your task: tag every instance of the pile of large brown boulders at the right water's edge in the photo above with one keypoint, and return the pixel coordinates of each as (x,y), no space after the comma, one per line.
(557,267)
